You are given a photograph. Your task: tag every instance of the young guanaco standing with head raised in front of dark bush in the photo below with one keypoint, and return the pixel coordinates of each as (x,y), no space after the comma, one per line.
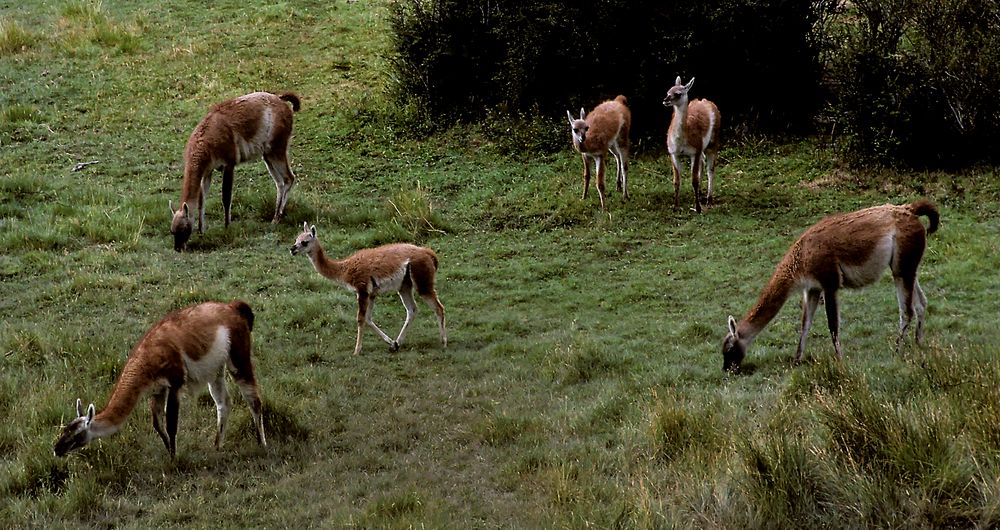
(694,131)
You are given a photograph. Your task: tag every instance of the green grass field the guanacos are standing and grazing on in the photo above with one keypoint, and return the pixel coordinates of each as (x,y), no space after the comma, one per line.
(582,383)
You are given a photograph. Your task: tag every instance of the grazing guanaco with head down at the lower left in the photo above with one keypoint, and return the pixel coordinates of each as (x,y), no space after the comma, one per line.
(193,345)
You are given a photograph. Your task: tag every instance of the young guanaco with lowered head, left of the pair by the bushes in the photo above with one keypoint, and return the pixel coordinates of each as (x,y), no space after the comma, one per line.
(604,129)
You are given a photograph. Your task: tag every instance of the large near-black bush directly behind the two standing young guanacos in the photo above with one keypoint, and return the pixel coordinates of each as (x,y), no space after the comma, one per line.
(460,60)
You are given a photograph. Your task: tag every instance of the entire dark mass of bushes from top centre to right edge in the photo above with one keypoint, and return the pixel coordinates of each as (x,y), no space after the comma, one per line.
(913,82)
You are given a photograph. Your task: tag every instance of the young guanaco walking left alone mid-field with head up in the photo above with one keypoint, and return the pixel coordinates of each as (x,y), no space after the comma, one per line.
(399,267)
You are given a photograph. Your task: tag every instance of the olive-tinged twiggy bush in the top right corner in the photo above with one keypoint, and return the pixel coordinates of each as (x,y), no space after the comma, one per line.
(918,80)
